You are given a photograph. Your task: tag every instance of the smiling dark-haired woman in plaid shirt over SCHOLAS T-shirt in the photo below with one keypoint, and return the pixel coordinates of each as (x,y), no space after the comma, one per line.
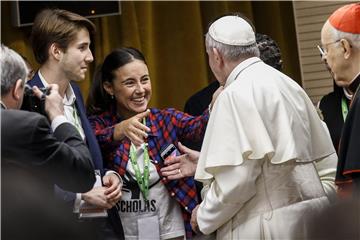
(132,139)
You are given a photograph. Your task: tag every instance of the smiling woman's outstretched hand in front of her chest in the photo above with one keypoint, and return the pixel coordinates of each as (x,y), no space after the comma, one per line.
(133,129)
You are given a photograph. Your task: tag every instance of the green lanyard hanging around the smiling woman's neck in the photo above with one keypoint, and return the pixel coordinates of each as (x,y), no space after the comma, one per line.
(143,181)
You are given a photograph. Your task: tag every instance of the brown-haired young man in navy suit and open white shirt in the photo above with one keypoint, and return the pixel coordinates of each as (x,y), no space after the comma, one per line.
(60,41)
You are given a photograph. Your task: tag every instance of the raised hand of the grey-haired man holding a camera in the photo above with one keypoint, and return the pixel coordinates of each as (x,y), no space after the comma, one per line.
(53,102)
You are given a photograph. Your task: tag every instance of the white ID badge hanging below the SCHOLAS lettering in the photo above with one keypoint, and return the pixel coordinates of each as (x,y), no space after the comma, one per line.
(148,228)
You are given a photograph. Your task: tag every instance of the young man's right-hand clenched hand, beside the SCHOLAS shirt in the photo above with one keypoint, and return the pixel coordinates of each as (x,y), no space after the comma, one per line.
(113,186)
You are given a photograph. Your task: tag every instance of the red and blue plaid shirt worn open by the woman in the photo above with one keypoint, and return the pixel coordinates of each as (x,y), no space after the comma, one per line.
(167,126)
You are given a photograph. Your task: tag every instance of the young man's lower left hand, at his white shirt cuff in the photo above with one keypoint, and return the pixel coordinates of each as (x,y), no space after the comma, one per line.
(97,197)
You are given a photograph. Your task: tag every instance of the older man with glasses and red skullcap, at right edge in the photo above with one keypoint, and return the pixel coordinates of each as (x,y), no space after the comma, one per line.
(340,39)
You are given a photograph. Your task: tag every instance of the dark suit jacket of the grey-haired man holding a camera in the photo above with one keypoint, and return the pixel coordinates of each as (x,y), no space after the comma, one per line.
(33,160)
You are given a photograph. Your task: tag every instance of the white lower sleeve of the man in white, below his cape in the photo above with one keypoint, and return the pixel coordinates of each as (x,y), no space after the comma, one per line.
(231,188)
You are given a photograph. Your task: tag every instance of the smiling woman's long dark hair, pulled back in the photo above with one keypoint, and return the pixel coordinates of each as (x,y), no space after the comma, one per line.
(99,100)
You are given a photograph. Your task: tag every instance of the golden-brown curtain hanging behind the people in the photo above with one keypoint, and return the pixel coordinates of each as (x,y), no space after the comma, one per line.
(171,36)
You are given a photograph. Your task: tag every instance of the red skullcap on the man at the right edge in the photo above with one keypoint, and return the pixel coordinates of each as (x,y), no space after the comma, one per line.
(347,18)
